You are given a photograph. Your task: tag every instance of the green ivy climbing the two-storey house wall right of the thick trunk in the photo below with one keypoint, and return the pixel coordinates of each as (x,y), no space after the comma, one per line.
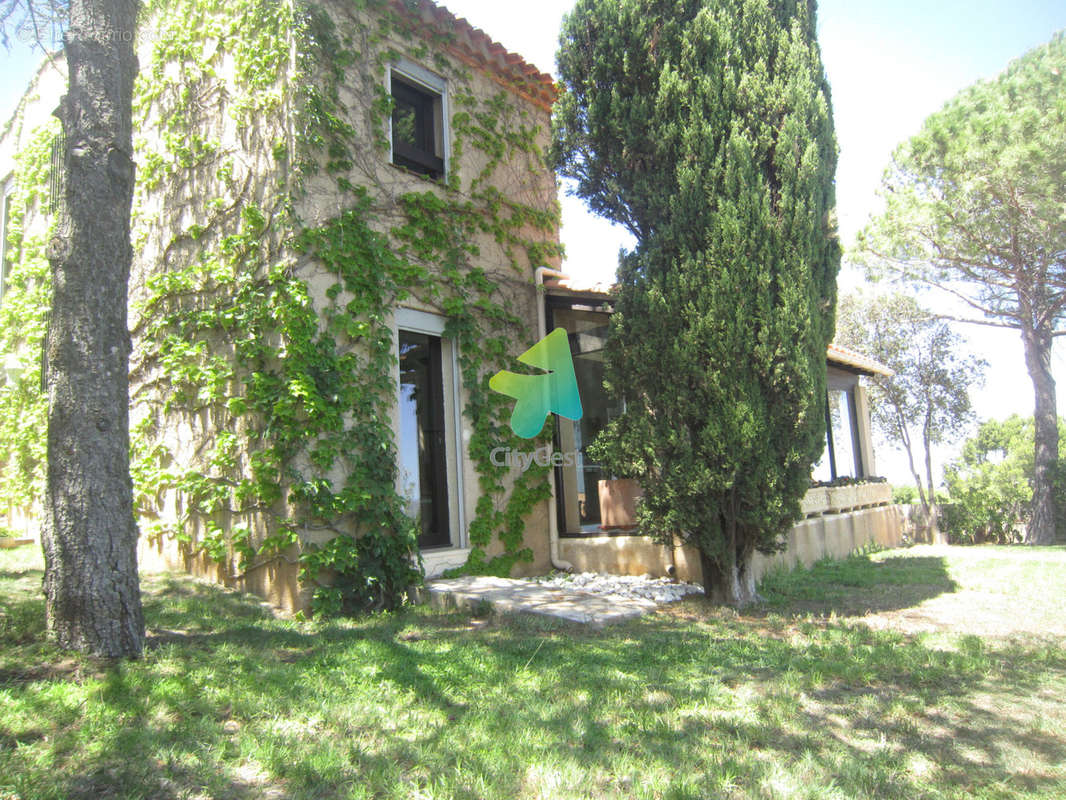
(281,391)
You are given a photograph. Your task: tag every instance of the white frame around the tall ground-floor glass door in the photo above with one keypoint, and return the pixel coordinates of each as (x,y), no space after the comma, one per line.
(431,325)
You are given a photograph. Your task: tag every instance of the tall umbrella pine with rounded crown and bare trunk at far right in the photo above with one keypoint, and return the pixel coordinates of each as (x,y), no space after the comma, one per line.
(974,206)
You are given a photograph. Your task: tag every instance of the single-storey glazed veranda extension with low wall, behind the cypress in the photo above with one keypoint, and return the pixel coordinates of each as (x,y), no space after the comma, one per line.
(594,517)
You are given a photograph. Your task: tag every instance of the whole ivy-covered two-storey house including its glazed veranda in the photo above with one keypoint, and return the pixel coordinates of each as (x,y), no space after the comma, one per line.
(344,226)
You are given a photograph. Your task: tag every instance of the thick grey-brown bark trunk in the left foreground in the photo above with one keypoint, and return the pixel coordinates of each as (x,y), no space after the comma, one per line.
(92,591)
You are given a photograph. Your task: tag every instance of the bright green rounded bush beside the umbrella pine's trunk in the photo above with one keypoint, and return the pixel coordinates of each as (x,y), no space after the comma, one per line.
(992,483)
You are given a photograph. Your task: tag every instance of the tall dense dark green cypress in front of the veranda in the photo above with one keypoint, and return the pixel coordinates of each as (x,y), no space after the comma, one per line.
(706,130)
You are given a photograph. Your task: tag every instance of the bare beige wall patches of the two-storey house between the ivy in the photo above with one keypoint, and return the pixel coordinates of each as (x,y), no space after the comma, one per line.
(234,149)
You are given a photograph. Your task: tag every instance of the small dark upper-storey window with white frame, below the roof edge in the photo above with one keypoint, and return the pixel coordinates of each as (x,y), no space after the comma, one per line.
(418,121)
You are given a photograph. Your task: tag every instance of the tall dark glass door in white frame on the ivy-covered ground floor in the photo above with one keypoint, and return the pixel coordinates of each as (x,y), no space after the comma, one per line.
(424,454)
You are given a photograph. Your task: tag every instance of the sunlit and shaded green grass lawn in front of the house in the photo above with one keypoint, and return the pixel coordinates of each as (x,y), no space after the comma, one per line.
(800,699)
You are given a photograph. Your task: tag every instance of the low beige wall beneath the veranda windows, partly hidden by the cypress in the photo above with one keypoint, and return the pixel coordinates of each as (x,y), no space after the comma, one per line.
(834,535)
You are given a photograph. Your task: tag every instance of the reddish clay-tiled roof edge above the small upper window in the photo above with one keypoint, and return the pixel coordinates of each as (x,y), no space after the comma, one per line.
(478,50)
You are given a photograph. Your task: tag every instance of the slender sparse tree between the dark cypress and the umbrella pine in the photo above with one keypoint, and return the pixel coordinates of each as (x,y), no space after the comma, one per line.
(928,399)
